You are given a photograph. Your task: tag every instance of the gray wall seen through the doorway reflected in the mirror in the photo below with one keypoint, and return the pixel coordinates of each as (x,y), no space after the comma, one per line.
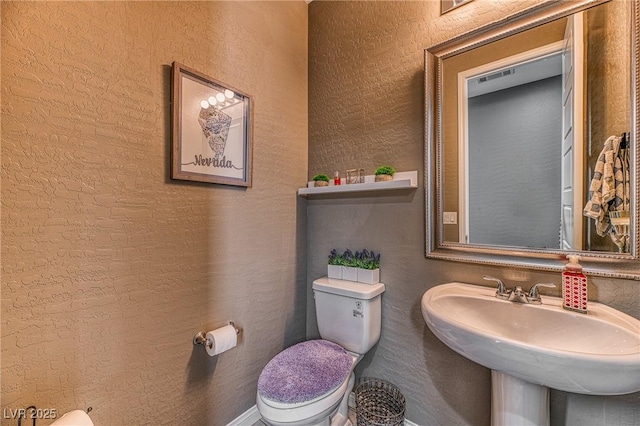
(514,165)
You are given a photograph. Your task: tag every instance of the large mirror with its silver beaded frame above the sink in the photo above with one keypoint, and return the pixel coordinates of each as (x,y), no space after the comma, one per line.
(518,114)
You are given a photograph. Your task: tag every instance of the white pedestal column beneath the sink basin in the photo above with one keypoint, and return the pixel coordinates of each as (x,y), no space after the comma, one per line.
(516,402)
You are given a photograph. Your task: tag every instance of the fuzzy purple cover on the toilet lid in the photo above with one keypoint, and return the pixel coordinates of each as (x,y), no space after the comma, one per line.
(304,372)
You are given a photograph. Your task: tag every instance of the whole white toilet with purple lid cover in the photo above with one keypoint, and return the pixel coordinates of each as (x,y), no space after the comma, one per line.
(309,383)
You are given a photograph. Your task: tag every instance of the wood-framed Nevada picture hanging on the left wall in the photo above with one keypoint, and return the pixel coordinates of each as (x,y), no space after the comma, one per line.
(211,125)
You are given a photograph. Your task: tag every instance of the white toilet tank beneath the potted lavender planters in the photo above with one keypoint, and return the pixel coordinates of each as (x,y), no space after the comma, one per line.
(349,313)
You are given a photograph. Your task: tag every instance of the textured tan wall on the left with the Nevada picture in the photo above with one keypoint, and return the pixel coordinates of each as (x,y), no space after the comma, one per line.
(108,266)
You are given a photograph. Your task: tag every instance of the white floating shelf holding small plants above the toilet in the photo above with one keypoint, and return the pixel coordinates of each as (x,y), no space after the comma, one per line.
(401,180)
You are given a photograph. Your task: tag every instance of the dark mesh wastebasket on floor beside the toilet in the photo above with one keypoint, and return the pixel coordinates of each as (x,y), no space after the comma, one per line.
(379,403)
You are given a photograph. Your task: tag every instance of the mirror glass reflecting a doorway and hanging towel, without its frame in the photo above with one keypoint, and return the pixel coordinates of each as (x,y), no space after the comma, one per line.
(535,146)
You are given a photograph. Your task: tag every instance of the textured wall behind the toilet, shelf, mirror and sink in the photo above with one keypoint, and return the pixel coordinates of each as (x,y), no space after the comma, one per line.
(366,108)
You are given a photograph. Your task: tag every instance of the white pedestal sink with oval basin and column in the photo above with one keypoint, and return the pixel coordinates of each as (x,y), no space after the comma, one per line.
(531,348)
